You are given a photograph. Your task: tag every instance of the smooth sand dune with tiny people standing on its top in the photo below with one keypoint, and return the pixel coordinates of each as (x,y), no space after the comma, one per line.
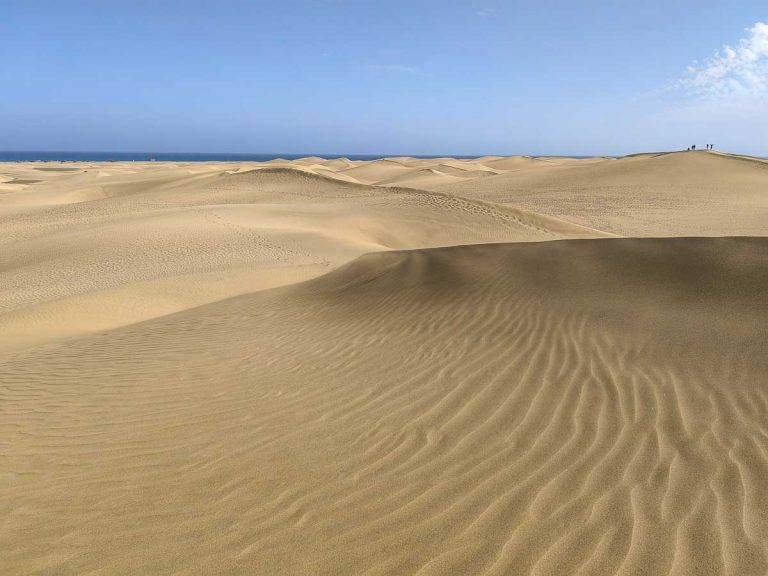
(680,194)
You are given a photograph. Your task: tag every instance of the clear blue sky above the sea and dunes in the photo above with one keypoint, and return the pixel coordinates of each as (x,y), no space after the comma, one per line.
(339,76)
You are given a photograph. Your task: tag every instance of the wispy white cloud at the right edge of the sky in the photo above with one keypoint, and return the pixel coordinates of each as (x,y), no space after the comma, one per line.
(732,71)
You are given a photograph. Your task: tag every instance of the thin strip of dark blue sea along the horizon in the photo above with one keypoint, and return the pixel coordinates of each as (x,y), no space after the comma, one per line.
(31,156)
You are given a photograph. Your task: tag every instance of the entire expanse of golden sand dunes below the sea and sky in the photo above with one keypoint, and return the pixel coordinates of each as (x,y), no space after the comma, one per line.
(269,369)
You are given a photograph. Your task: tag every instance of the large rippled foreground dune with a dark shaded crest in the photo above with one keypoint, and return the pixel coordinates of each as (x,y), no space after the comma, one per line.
(568,407)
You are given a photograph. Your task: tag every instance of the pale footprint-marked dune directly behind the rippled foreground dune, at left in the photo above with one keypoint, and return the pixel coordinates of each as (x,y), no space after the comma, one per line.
(81,258)
